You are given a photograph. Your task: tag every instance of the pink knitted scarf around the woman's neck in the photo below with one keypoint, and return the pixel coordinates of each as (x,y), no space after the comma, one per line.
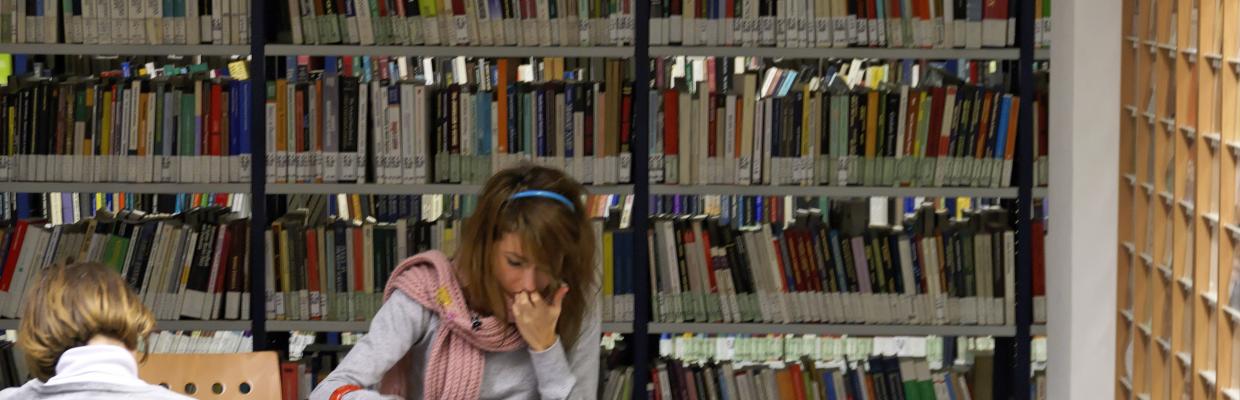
(458,349)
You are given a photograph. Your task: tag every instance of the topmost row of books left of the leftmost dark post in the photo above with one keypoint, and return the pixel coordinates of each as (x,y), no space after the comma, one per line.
(126,22)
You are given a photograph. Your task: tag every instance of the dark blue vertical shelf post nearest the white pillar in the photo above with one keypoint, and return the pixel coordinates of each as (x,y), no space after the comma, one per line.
(1025,205)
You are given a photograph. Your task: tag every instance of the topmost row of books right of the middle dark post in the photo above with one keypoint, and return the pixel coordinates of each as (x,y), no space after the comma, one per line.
(924,24)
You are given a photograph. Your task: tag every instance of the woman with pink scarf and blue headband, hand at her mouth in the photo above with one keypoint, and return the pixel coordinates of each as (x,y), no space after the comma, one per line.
(510,316)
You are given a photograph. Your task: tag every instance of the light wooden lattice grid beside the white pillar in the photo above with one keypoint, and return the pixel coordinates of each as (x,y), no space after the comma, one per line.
(1177,226)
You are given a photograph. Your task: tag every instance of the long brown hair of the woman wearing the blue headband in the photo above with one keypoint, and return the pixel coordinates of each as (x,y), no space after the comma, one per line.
(557,238)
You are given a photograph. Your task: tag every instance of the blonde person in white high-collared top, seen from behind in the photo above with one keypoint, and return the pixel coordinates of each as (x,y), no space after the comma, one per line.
(80,329)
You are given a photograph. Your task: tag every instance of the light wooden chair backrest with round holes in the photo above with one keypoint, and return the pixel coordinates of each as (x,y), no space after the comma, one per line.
(216,377)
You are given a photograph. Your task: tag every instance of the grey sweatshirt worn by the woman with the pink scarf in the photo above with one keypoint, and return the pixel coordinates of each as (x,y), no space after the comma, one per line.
(402,325)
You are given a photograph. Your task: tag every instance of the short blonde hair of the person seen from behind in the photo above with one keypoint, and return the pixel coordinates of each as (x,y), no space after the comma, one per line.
(74,304)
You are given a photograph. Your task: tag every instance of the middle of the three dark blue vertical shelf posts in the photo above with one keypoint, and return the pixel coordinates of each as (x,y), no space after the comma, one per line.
(642,198)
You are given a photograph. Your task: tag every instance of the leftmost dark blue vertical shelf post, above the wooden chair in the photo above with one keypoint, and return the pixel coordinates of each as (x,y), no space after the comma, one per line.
(259,174)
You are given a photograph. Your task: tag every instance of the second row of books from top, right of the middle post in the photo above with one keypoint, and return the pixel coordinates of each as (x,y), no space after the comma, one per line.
(841,123)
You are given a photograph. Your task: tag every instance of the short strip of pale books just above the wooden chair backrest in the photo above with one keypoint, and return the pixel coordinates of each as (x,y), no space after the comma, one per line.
(198,342)
